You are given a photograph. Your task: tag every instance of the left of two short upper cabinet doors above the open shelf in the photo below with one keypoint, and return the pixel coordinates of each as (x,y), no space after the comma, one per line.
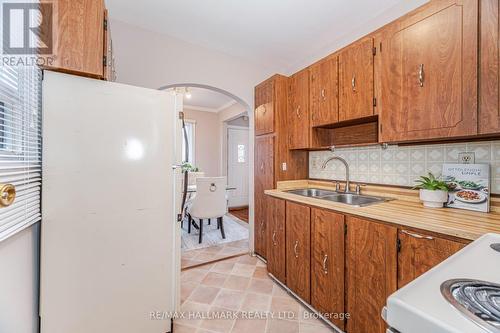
(324,92)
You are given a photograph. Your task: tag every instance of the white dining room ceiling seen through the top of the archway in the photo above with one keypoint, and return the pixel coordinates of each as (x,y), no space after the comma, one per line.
(207,100)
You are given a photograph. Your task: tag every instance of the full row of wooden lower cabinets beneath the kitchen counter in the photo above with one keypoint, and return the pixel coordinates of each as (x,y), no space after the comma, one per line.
(345,264)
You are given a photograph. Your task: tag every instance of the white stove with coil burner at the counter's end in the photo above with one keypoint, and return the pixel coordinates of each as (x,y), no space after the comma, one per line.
(461,295)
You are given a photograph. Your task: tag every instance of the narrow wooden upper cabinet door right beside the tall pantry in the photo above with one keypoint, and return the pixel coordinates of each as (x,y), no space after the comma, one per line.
(298,110)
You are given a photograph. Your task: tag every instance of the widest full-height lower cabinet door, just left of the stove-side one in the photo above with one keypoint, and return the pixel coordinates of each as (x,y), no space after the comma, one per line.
(371,273)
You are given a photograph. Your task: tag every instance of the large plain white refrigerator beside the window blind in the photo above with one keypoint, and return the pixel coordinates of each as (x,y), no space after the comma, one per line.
(108,235)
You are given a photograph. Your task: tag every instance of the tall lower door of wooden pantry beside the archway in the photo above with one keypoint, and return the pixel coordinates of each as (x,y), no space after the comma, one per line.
(264,180)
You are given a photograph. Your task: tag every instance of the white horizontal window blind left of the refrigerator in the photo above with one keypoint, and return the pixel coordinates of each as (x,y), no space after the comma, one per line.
(20,146)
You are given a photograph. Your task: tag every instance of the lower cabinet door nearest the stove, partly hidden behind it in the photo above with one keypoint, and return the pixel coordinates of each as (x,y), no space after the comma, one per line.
(420,252)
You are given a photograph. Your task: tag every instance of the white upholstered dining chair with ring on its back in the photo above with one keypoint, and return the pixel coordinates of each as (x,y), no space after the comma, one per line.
(209,203)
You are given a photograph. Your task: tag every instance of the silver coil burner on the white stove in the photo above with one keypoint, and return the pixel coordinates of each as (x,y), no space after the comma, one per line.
(478,300)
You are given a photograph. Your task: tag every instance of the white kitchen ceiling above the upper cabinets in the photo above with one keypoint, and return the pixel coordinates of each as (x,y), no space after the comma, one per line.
(280,34)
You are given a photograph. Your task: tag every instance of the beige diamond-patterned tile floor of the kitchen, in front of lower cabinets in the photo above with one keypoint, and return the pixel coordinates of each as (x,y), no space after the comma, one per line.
(240,285)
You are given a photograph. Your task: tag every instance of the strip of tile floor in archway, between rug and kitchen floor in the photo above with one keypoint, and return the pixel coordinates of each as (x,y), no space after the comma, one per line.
(196,257)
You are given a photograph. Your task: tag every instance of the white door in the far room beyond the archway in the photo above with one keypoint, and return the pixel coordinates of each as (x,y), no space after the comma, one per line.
(237,165)
